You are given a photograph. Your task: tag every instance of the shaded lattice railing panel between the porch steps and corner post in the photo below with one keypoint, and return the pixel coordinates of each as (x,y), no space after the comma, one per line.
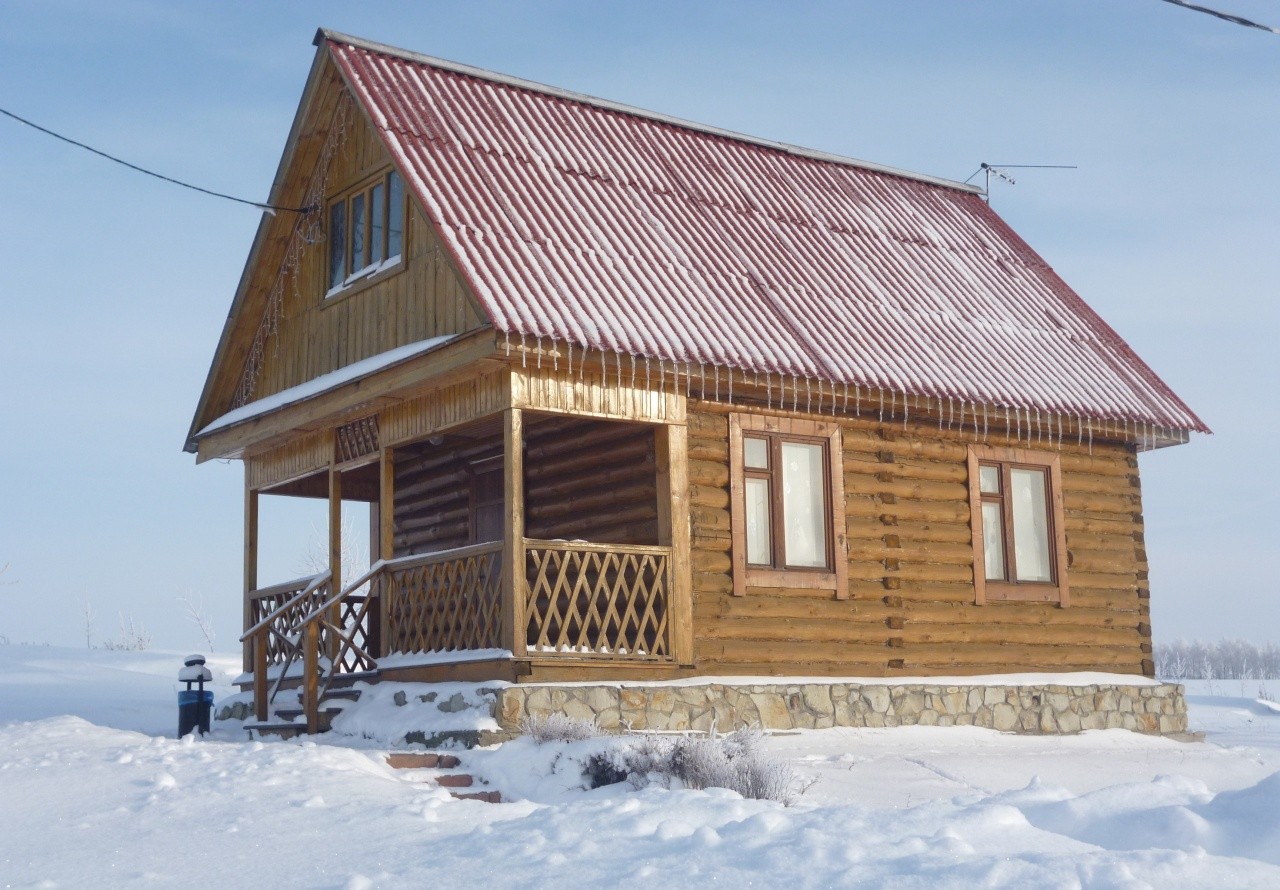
(445,603)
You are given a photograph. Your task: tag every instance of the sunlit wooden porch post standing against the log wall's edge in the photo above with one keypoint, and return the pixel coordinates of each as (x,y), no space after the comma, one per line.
(673,454)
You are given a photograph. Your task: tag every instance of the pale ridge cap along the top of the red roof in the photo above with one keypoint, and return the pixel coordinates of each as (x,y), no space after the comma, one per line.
(324,35)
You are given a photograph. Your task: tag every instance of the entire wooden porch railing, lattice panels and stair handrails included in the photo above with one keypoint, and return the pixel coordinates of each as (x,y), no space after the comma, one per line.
(582,600)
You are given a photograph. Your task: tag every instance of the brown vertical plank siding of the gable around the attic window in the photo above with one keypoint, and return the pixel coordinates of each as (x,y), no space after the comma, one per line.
(423,298)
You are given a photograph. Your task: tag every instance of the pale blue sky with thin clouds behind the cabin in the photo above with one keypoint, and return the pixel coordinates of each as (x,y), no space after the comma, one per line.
(115,286)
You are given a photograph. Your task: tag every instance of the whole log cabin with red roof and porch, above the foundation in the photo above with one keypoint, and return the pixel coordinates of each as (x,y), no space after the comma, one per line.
(638,399)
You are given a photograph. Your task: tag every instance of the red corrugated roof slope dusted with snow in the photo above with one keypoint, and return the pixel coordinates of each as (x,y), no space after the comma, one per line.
(618,230)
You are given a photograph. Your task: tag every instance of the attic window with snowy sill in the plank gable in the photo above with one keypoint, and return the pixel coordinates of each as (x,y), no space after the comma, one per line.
(367,231)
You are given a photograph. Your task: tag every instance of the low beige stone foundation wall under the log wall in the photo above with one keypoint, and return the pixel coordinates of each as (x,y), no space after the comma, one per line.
(1014,709)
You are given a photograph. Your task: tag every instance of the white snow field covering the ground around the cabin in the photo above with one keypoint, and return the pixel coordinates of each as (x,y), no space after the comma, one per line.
(97,792)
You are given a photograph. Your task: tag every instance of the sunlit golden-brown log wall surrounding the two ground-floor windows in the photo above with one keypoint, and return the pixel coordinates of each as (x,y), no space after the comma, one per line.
(912,603)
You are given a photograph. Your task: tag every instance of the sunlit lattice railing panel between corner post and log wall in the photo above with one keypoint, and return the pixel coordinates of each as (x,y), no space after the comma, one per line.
(598,600)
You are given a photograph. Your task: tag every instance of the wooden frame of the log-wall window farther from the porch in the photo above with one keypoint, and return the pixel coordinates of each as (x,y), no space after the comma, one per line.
(1057,591)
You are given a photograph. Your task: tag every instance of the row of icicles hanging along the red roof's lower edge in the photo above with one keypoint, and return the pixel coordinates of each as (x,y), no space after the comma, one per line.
(810,396)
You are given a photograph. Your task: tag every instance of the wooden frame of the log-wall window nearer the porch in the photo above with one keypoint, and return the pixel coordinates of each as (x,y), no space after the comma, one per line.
(836,576)
